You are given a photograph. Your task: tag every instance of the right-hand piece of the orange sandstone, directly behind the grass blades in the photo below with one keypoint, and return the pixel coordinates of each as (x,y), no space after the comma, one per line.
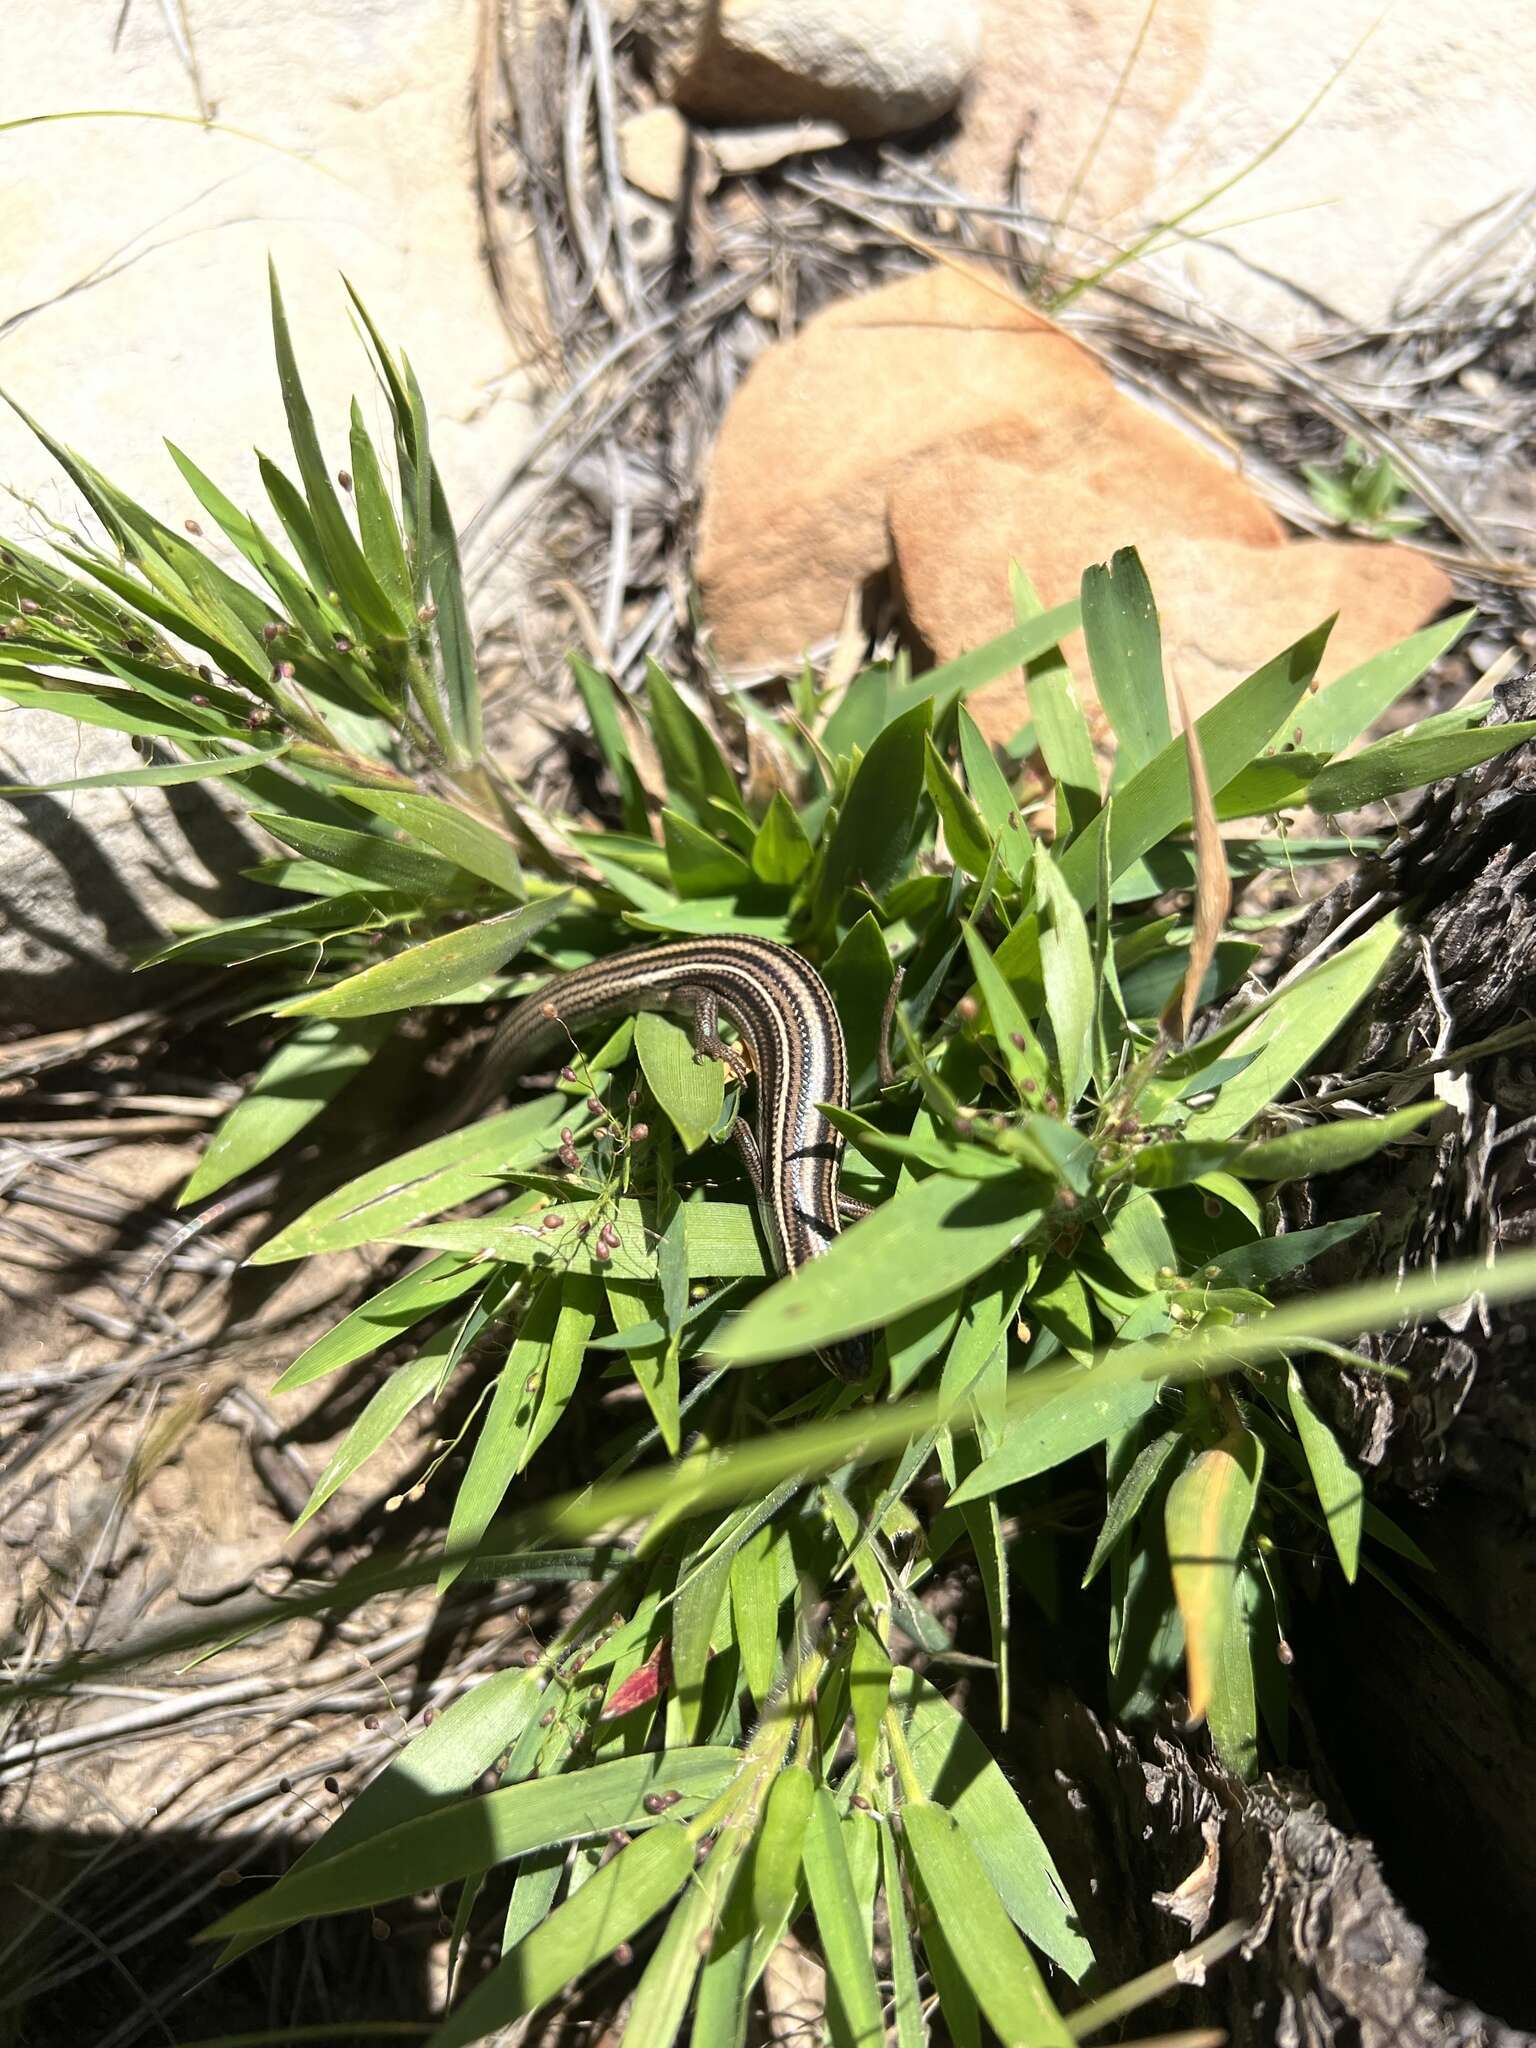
(1226,605)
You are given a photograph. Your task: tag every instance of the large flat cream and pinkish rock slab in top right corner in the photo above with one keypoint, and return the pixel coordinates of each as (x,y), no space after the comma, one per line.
(1353,159)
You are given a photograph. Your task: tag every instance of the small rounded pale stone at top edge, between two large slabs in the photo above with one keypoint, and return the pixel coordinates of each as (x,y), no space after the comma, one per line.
(873,67)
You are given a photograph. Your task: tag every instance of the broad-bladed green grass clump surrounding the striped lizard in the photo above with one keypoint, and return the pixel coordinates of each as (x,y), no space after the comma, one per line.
(1070,1271)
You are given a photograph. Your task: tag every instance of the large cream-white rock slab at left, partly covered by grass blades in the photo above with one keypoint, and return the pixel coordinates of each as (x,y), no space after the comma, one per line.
(136,306)
